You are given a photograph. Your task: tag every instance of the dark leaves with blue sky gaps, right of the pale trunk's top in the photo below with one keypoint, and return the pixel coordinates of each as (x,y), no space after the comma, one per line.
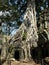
(39,4)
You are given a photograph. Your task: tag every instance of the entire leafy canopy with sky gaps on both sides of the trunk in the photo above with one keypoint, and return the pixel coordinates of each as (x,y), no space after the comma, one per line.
(14,10)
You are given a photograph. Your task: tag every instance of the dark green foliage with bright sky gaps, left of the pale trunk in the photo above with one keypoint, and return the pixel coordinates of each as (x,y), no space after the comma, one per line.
(15,12)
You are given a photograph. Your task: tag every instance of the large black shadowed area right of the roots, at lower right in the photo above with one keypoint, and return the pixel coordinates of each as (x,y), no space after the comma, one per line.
(40,52)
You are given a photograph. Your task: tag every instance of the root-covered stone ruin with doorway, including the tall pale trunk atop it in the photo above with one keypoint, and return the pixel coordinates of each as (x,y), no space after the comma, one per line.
(25,38)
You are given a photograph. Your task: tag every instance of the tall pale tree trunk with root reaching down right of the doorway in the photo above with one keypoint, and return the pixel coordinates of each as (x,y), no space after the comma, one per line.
(31,26)
